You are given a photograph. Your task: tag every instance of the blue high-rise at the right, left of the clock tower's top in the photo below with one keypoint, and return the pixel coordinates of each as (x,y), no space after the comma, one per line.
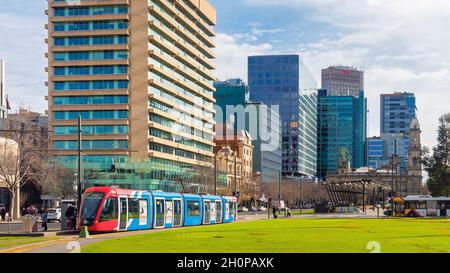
(396,113)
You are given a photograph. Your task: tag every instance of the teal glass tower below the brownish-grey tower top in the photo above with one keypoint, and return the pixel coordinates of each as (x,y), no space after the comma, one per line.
(342,131)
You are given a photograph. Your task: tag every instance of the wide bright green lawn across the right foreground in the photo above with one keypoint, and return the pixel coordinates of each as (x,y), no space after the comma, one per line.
(292,235)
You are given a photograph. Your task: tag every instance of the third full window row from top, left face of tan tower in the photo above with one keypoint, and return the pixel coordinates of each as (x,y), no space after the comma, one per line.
(90,40)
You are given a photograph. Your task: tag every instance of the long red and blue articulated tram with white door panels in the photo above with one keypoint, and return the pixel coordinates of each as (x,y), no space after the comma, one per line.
(107,209)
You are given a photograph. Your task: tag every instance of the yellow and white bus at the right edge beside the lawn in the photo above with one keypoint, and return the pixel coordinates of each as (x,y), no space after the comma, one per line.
(422,206)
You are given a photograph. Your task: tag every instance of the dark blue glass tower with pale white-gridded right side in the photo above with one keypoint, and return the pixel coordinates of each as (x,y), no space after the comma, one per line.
(284,80)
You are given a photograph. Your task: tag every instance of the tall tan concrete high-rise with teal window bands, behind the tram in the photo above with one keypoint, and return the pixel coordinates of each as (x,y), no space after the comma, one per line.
(140,75)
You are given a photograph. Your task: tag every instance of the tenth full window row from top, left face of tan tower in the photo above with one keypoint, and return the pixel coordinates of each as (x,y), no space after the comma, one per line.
(91,145)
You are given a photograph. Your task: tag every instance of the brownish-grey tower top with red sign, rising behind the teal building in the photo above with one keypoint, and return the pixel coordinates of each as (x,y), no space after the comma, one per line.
(342,81)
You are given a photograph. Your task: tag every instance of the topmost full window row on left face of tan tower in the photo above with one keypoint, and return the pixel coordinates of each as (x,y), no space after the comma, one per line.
(89,11)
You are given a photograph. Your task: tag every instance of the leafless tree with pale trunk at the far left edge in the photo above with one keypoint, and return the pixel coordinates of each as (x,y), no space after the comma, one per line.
(21,158)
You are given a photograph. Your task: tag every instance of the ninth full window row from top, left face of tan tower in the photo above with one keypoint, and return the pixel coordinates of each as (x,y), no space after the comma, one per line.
(92,130)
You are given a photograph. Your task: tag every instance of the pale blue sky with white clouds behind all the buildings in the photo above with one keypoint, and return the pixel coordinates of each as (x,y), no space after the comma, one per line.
(402,45)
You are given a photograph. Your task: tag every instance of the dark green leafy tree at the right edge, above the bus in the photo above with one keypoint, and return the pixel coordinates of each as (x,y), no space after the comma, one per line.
(438,164)
